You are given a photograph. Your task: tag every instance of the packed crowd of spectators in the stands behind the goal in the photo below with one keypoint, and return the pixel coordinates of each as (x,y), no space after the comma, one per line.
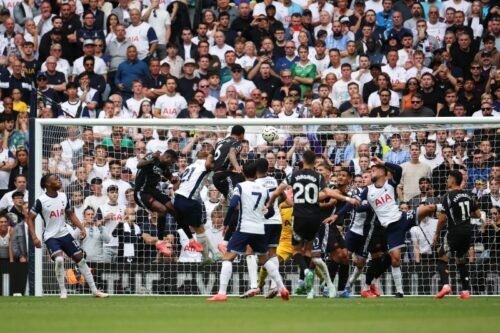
(244,59)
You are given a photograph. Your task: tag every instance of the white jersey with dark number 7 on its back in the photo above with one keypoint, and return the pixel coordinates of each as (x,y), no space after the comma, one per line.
(252,197)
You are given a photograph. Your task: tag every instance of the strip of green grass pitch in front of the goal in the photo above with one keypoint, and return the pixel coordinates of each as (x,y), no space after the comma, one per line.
(194,314)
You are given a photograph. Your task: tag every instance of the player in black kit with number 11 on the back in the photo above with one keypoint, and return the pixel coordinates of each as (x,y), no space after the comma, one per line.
(457,209)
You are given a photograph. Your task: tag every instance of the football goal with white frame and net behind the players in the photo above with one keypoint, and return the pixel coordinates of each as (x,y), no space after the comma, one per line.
(92,155)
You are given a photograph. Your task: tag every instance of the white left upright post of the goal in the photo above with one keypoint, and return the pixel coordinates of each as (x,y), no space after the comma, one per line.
(37,170)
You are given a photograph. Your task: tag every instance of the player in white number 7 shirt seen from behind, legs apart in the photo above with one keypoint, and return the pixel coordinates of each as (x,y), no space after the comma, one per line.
(250,231)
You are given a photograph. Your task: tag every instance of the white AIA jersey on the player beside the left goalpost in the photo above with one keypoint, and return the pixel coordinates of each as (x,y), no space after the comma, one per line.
(53,213)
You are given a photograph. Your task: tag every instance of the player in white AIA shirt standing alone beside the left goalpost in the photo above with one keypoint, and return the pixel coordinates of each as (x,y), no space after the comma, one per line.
(54,208)
